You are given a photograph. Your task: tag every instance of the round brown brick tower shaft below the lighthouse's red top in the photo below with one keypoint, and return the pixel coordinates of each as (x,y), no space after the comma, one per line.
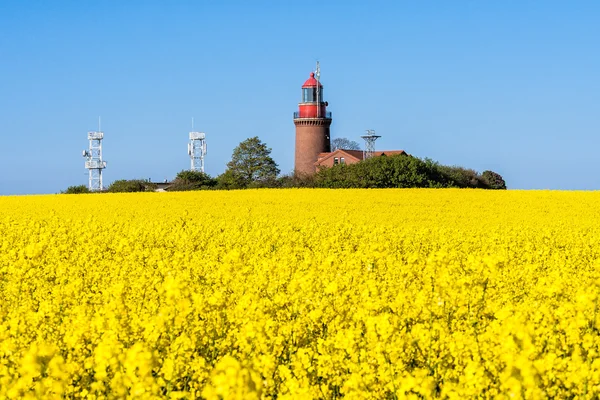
(312,138)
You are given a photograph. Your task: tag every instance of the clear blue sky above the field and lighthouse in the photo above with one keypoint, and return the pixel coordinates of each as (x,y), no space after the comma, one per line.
(511,86)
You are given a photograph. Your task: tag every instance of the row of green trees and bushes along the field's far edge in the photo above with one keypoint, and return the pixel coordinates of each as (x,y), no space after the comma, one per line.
(251,166)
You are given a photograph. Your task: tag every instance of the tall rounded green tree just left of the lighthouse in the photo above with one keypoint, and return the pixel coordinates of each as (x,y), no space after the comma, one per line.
(250,162)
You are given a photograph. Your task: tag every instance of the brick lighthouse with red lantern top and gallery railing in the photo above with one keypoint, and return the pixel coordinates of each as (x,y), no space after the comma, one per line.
(312,122)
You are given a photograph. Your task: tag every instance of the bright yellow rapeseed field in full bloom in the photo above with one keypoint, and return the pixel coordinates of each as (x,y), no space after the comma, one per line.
(301,294)
